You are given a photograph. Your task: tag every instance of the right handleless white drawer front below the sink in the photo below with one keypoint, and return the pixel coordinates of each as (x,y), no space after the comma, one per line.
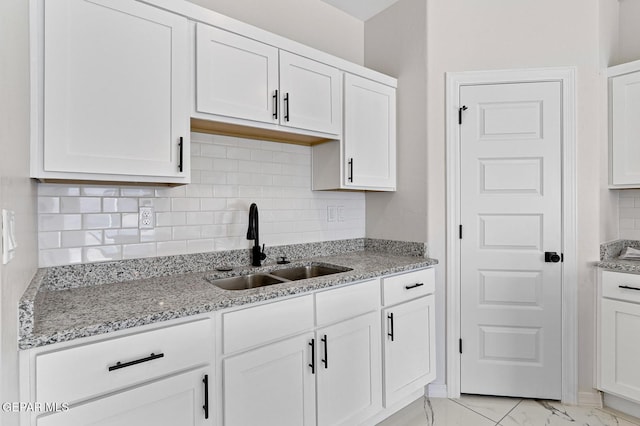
(347,302)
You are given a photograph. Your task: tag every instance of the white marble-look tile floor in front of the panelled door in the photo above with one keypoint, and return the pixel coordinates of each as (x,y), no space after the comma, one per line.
(474,410)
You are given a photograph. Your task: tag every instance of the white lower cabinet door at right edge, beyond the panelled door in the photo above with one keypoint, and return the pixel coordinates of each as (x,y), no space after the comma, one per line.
(620,348)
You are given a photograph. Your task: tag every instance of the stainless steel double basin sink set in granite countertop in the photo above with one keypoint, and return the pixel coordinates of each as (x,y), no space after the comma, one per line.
(278,276)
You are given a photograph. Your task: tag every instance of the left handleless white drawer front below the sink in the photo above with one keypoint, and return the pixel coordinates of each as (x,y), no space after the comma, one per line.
(265,323)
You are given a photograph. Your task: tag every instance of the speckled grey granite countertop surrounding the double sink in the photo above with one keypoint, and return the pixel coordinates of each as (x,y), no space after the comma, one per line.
(50,315)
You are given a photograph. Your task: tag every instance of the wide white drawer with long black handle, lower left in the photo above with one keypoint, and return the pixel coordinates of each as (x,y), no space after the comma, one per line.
(70,375)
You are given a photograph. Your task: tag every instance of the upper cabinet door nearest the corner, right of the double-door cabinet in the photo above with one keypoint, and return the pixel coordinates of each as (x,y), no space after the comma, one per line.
(369,134)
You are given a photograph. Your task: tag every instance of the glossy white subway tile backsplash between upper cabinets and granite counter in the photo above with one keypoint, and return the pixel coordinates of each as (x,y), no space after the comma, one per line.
(100,223)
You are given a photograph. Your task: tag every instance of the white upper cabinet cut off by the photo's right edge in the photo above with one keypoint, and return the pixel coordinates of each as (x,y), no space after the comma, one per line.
(624,126)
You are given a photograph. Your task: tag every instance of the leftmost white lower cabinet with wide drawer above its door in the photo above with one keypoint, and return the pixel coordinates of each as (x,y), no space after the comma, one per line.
(159,377)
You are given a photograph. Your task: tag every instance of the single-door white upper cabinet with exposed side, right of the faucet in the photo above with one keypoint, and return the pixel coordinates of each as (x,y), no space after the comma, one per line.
(366,157)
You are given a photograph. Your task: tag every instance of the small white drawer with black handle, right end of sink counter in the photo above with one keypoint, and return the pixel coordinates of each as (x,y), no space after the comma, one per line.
(398,288)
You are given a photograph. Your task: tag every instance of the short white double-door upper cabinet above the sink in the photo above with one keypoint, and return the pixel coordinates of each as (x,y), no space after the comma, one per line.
(238,78)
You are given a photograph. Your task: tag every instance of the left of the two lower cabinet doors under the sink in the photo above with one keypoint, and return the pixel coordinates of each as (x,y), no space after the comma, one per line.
(273,385)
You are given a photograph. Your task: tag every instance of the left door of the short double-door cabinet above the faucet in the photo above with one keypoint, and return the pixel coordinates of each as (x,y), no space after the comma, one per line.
(235,76)
